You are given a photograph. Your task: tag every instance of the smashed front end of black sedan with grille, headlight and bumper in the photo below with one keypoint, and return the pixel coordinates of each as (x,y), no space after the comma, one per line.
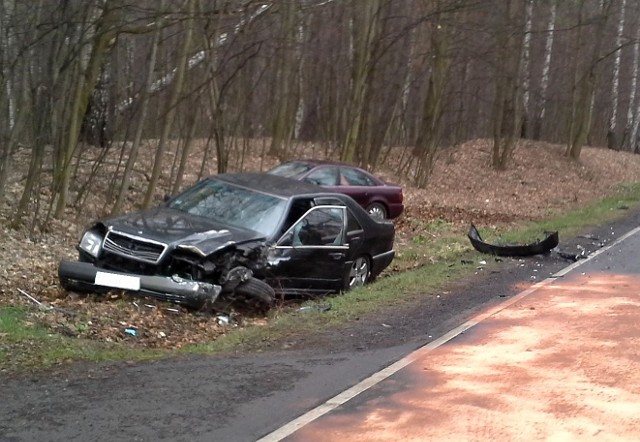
(186,271)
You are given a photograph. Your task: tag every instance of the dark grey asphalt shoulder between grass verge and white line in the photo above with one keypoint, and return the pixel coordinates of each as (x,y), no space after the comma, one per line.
(245,397)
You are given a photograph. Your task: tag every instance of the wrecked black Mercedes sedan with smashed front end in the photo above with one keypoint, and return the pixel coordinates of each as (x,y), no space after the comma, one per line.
(248,235)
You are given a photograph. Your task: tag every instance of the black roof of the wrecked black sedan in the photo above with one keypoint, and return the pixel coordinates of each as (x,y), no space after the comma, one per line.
(271,184)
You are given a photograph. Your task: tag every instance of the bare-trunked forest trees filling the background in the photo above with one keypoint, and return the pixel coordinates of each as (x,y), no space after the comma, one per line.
(352,76)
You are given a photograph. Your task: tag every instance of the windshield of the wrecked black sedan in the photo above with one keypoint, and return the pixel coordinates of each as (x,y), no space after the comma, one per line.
(233,206)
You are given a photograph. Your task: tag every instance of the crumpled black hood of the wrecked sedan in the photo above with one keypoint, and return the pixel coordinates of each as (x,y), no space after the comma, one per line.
(181,229)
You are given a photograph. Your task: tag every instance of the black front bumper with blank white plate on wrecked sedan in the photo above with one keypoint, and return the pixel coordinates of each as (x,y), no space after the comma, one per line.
(86,276)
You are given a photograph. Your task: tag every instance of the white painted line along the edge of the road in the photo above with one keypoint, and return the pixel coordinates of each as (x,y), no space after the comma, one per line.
(350,393)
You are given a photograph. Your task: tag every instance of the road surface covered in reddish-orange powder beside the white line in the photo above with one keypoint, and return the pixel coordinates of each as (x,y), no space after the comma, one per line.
(560,365)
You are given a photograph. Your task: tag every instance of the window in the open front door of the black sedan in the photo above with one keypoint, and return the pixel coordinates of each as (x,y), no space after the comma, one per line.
(322,226)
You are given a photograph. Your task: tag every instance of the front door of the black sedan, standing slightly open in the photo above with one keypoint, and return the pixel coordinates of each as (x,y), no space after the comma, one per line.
(311,255)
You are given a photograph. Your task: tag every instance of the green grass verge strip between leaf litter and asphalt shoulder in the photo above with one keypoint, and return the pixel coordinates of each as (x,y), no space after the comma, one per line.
(423,267)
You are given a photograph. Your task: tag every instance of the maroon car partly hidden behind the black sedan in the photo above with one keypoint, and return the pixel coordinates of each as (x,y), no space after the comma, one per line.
(382,200)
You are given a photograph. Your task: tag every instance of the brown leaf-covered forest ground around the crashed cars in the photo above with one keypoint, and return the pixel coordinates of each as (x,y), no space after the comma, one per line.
(462,189)
